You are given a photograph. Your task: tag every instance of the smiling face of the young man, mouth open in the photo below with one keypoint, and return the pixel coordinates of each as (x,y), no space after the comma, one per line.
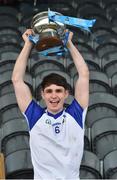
(54,97)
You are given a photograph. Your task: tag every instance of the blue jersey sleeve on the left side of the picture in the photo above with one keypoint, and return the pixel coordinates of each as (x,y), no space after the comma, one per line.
(33,113)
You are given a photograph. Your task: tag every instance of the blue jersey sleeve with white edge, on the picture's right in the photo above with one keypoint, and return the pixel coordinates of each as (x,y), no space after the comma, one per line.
(77,112)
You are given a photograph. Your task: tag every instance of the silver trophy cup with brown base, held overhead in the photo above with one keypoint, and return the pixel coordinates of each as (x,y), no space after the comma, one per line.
(50,33)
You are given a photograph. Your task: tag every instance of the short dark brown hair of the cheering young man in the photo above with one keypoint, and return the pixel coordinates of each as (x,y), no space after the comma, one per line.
(54,79)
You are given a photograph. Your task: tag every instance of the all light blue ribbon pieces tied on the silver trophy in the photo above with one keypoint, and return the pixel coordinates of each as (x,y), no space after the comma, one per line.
(83,24)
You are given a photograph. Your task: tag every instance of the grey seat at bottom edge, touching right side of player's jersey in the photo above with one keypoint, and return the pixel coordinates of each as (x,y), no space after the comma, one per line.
(90,166)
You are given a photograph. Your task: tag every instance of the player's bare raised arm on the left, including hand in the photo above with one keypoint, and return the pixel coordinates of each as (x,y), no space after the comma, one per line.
(22,91)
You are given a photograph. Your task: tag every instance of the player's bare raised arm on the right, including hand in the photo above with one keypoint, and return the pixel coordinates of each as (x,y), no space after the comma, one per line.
(82,83)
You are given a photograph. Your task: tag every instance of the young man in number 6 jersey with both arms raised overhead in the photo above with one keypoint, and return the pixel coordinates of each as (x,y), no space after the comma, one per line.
(56,133)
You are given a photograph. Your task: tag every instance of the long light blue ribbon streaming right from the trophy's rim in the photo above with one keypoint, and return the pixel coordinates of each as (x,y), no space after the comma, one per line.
(72,21)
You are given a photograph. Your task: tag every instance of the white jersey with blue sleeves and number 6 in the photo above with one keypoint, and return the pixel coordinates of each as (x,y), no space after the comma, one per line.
(56,141)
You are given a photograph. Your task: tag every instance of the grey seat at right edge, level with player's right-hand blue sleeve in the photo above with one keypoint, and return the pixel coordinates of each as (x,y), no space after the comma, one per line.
(101,105)
